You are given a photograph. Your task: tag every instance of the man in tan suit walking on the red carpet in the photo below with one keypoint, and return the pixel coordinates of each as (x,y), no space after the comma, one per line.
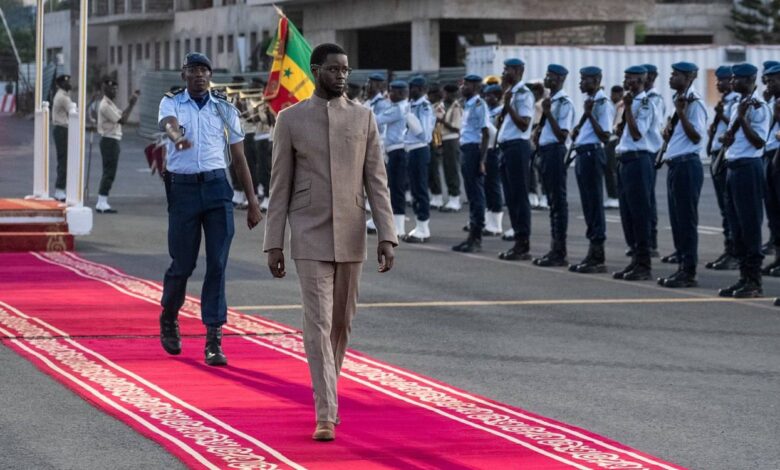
(325,153)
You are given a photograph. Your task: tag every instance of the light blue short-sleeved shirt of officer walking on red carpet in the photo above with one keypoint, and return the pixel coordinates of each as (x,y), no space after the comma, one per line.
(204,128)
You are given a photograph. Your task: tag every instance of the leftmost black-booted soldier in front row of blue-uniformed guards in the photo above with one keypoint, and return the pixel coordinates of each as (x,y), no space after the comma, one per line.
(474,136)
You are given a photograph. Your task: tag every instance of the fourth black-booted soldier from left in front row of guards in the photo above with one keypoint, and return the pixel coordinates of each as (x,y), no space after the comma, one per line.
(589,137)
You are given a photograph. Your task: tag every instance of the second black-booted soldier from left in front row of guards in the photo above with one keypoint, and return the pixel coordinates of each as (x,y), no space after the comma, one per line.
(514,134)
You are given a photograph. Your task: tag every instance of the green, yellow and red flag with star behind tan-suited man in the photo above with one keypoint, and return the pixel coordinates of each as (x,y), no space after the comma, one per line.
(290,80)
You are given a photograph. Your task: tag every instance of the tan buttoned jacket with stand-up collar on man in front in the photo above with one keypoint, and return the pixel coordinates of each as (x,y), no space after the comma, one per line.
(324,154)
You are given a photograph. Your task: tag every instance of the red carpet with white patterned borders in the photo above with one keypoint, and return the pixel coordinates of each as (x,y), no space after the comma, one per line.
(94,329)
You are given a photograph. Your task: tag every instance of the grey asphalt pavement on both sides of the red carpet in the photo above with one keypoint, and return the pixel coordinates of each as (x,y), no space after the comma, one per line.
(674,373)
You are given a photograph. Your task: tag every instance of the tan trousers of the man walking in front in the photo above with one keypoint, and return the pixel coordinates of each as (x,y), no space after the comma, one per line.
(329,291)
